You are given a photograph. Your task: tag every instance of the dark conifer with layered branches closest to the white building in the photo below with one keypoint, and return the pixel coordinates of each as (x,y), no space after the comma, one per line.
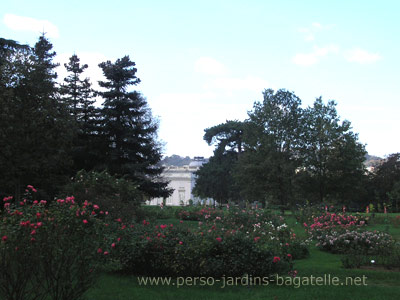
(130,131)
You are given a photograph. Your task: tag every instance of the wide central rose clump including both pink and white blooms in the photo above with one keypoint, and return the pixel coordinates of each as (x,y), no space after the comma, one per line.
(231,243)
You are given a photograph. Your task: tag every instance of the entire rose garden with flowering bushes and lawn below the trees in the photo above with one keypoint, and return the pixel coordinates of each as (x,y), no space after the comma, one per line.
(69,249)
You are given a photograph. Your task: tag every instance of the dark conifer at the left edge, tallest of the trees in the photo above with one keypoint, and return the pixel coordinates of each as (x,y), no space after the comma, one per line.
(37,131)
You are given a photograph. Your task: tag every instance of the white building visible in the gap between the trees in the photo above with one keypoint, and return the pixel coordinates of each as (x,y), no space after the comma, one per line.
(182,181)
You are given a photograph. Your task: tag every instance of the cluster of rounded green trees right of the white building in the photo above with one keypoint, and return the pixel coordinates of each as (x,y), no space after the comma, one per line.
(283,154)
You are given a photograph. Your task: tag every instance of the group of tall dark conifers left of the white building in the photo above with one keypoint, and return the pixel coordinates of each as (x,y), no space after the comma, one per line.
(50,132)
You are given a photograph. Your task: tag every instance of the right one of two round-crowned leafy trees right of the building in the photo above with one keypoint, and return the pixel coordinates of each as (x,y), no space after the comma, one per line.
(332,156)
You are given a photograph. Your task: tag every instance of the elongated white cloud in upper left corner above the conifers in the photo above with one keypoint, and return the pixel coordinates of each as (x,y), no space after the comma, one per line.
(19,23)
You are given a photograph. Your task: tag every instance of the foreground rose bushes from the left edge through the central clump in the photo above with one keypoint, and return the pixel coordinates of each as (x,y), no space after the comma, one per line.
(71,242)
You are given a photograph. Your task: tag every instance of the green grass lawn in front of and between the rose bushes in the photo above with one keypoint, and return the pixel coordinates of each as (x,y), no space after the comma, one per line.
(380,284)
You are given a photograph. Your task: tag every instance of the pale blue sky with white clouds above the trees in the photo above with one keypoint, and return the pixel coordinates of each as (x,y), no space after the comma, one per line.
(204,62)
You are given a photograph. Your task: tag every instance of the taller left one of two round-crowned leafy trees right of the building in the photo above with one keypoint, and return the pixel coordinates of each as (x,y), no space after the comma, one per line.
(271,155)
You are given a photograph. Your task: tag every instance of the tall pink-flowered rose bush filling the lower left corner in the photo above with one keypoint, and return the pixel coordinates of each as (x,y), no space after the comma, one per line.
(49,250)
